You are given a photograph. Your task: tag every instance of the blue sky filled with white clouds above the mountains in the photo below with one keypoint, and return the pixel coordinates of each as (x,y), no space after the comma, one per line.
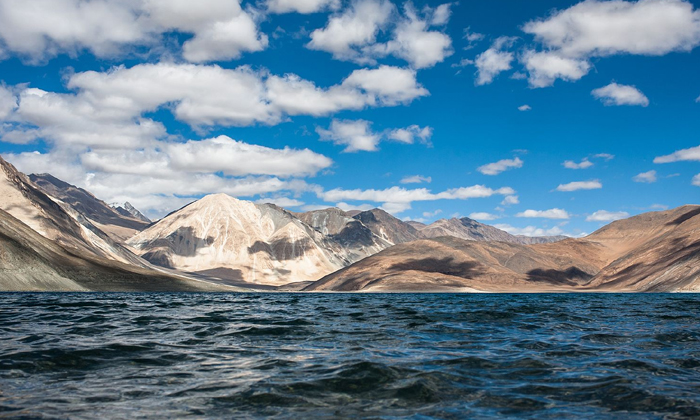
(539,117)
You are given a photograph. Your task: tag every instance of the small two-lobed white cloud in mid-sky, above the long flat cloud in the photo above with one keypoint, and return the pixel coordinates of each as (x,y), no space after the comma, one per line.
(358,135)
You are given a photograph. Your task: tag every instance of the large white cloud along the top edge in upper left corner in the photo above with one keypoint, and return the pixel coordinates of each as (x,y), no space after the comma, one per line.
(220,29)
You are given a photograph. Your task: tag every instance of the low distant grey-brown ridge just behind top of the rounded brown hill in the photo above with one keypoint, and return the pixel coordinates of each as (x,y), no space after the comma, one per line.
(468,229)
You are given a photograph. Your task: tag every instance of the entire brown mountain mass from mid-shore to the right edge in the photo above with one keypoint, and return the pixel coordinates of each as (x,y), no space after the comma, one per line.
(651,252)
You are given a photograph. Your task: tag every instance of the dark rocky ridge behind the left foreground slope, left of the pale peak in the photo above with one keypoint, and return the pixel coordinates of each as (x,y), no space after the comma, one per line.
(118,226)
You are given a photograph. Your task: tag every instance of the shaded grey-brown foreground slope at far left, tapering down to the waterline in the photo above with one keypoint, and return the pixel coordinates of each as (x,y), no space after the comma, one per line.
(31,262)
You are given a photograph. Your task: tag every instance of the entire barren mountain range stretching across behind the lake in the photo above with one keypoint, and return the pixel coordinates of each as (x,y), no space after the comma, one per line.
(56,236)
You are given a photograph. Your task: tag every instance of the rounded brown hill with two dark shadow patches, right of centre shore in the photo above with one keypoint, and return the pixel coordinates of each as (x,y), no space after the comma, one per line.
(452,264)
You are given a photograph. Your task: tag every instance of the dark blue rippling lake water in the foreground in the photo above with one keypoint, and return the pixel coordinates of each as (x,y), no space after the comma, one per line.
(363,356)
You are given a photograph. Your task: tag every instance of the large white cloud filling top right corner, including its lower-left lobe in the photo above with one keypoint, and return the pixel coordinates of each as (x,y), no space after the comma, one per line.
(595,28)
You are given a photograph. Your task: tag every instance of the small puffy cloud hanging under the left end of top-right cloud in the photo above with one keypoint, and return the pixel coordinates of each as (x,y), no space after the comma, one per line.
(546,67)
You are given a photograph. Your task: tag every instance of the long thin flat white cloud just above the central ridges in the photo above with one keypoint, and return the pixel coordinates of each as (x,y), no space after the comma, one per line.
(398,199)
